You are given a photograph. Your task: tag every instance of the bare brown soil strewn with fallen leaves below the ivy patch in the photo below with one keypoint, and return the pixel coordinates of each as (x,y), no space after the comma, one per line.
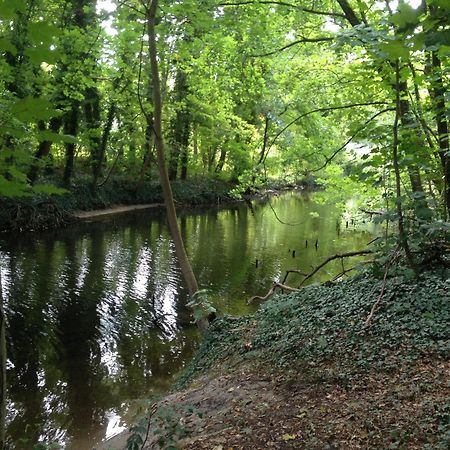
(252,408)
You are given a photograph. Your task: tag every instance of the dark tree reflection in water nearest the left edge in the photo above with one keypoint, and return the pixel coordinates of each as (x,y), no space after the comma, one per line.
(28,340)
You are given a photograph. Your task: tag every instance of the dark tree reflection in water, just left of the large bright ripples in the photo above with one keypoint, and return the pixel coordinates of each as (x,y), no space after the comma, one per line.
(78,330)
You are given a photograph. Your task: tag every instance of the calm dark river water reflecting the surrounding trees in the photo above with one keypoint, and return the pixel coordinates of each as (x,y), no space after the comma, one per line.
(97,316)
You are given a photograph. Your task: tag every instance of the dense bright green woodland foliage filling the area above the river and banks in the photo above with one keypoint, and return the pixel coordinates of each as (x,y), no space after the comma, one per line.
(251,90)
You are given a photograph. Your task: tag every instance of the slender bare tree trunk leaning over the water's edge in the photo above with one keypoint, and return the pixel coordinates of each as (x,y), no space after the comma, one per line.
(185,265)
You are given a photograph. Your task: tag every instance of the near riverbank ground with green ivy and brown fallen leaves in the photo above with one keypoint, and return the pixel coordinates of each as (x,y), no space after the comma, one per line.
(305,372)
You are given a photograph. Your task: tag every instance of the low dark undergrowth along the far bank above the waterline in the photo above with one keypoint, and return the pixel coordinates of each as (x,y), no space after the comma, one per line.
(44,211)
